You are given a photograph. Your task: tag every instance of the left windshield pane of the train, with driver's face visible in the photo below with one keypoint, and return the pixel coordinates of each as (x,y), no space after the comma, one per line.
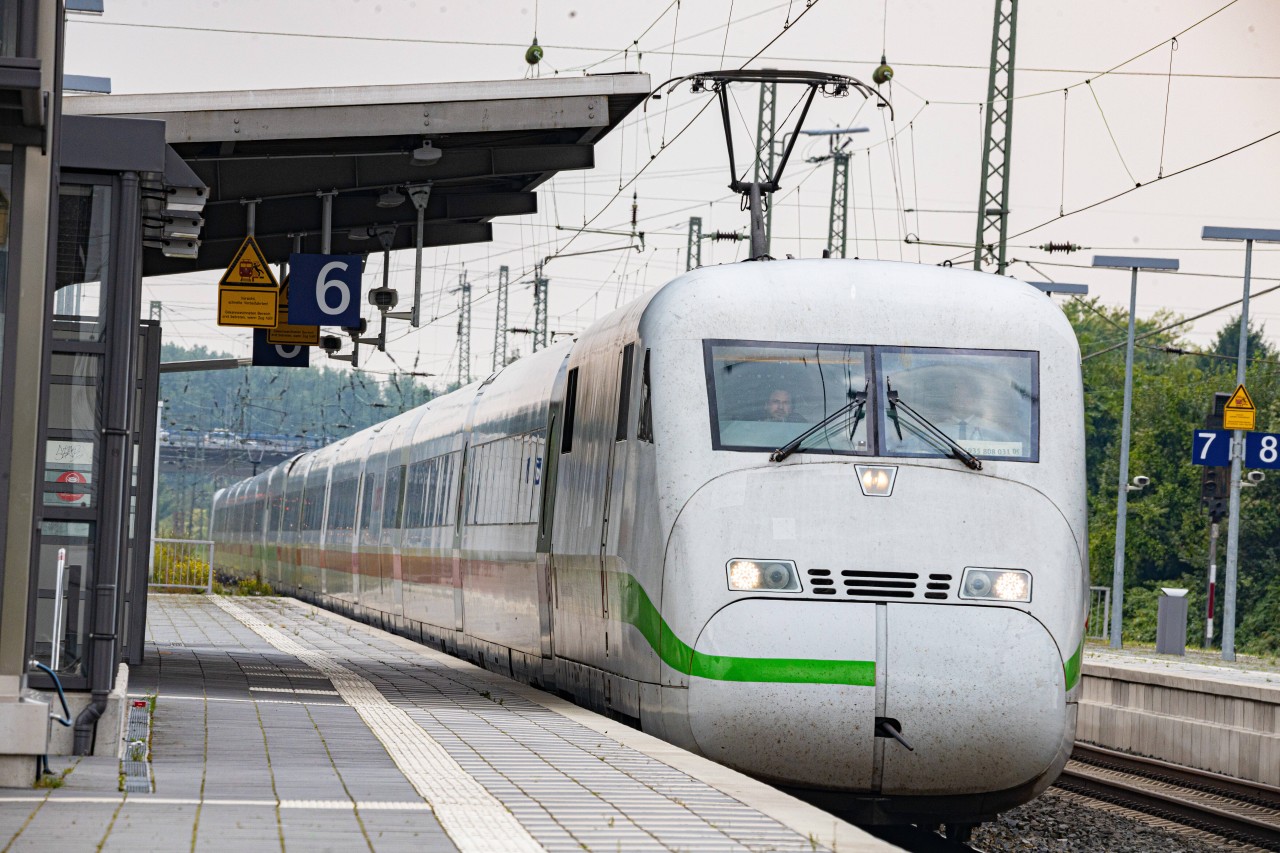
(764,395)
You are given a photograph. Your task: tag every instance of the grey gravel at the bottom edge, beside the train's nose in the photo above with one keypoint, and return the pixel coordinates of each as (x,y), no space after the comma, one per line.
(1058,822)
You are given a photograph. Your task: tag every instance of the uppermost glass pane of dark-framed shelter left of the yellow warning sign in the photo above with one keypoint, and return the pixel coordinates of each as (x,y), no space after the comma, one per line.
(84,258)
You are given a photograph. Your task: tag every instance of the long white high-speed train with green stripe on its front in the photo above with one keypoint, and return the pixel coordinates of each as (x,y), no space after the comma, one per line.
(888,615)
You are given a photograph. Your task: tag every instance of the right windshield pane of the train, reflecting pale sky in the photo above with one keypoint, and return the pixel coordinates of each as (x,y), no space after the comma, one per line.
(986,402)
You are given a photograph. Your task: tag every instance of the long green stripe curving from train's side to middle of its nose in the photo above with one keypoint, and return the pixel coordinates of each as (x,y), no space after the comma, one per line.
(638,610)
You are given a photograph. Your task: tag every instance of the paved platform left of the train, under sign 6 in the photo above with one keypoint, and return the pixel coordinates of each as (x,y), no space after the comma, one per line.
(266,724)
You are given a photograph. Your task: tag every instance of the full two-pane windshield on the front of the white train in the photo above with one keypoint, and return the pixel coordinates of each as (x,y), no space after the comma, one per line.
(985,400)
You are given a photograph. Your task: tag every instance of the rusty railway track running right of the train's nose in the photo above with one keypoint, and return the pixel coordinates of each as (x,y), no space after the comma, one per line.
(1220,805)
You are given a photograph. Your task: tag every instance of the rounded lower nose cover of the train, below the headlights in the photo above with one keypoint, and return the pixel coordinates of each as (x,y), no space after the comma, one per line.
(979,694)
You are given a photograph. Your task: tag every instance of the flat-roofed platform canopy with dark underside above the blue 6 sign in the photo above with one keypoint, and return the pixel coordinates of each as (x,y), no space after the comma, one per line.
(496,142)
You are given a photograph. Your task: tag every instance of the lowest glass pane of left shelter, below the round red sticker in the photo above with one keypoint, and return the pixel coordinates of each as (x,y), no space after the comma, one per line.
(72,606)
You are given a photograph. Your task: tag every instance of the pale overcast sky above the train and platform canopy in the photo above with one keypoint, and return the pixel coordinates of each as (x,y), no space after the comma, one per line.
(1104,136)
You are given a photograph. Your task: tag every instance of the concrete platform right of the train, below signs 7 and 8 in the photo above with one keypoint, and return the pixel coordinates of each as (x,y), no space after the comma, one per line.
(1192,711)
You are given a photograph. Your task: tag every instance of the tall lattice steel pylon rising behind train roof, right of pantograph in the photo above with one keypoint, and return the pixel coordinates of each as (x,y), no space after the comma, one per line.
(996,143)
